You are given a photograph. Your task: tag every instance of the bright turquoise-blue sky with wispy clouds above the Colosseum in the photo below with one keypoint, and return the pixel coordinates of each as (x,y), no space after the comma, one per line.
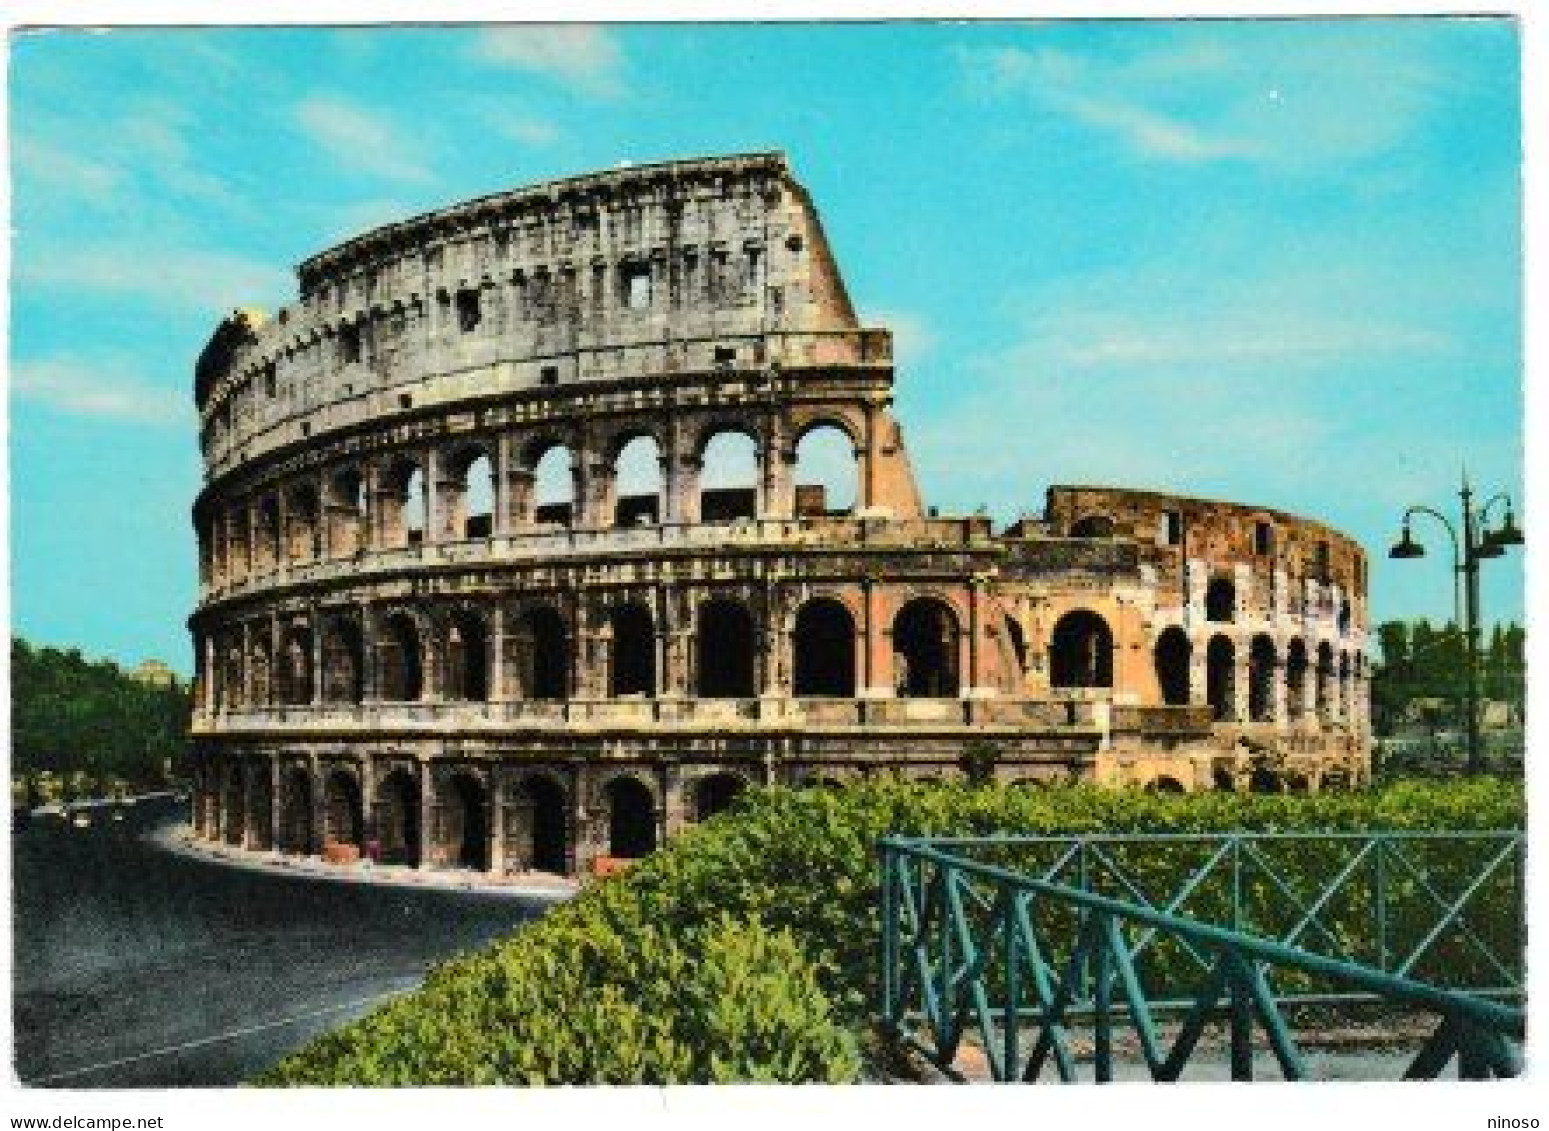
(1265,261)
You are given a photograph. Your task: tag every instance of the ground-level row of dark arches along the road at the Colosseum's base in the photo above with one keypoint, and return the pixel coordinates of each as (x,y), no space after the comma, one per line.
(461,825)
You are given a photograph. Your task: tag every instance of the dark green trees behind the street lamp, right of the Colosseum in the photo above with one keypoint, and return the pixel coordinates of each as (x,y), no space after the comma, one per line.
(1420,661)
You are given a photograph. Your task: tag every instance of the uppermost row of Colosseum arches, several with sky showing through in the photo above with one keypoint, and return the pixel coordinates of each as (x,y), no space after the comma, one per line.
(461,493)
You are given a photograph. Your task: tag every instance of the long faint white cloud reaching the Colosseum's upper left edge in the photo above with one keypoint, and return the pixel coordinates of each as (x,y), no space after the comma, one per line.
(160,277)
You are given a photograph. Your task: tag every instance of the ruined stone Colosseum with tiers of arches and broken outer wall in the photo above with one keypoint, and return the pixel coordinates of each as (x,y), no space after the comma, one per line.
(512,559)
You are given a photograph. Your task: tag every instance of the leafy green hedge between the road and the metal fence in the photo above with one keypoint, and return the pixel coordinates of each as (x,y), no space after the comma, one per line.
(747,949)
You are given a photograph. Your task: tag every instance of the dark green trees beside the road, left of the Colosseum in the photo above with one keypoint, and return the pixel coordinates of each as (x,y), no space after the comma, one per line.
(77,717)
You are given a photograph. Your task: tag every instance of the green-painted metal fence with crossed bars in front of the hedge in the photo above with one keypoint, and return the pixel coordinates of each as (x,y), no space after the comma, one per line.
(1032,946)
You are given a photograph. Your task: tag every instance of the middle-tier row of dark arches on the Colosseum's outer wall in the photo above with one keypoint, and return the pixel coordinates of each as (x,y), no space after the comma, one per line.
(472,656)
